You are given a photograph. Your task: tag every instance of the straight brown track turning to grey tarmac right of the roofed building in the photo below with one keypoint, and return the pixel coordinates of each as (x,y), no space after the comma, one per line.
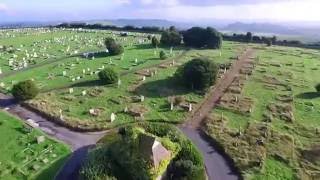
(218,166)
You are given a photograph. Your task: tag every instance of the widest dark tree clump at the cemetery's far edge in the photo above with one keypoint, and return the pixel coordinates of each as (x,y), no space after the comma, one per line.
(200,37)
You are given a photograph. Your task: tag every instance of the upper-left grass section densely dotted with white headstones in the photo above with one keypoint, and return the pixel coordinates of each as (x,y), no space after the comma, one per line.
(20,53)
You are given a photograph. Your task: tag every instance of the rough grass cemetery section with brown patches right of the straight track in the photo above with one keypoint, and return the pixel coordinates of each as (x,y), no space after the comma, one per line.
(279,138)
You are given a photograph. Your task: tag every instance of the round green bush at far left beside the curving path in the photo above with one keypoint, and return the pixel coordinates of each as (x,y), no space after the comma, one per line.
(25,90)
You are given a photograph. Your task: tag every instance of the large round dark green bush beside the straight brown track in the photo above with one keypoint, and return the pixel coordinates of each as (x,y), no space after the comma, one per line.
(198,73)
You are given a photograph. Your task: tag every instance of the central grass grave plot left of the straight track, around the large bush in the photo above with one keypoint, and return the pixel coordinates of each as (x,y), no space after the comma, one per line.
(145,94)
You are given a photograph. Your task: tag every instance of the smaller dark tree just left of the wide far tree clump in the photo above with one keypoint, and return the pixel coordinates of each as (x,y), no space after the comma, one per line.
(171,38)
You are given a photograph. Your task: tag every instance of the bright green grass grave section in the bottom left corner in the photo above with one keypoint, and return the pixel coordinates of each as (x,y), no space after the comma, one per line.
(22,157)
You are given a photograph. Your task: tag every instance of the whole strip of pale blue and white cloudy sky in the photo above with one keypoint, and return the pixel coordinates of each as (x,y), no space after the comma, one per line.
(193,10)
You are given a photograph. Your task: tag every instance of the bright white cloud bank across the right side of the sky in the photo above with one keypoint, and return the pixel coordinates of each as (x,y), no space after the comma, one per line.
(283,10)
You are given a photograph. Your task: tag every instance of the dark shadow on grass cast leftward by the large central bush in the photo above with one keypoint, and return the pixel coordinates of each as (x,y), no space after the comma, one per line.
(161,88)
